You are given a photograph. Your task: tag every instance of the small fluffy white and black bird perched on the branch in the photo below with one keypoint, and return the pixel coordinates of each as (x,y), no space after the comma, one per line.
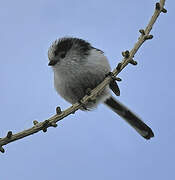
(79,66)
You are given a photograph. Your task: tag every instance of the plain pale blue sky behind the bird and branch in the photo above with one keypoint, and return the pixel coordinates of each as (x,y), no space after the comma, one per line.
(98,144)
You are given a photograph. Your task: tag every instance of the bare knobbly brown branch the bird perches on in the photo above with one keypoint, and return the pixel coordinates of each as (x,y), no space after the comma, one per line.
(128,58)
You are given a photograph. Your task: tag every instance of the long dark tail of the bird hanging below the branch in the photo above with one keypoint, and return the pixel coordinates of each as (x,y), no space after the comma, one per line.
(130,117)
